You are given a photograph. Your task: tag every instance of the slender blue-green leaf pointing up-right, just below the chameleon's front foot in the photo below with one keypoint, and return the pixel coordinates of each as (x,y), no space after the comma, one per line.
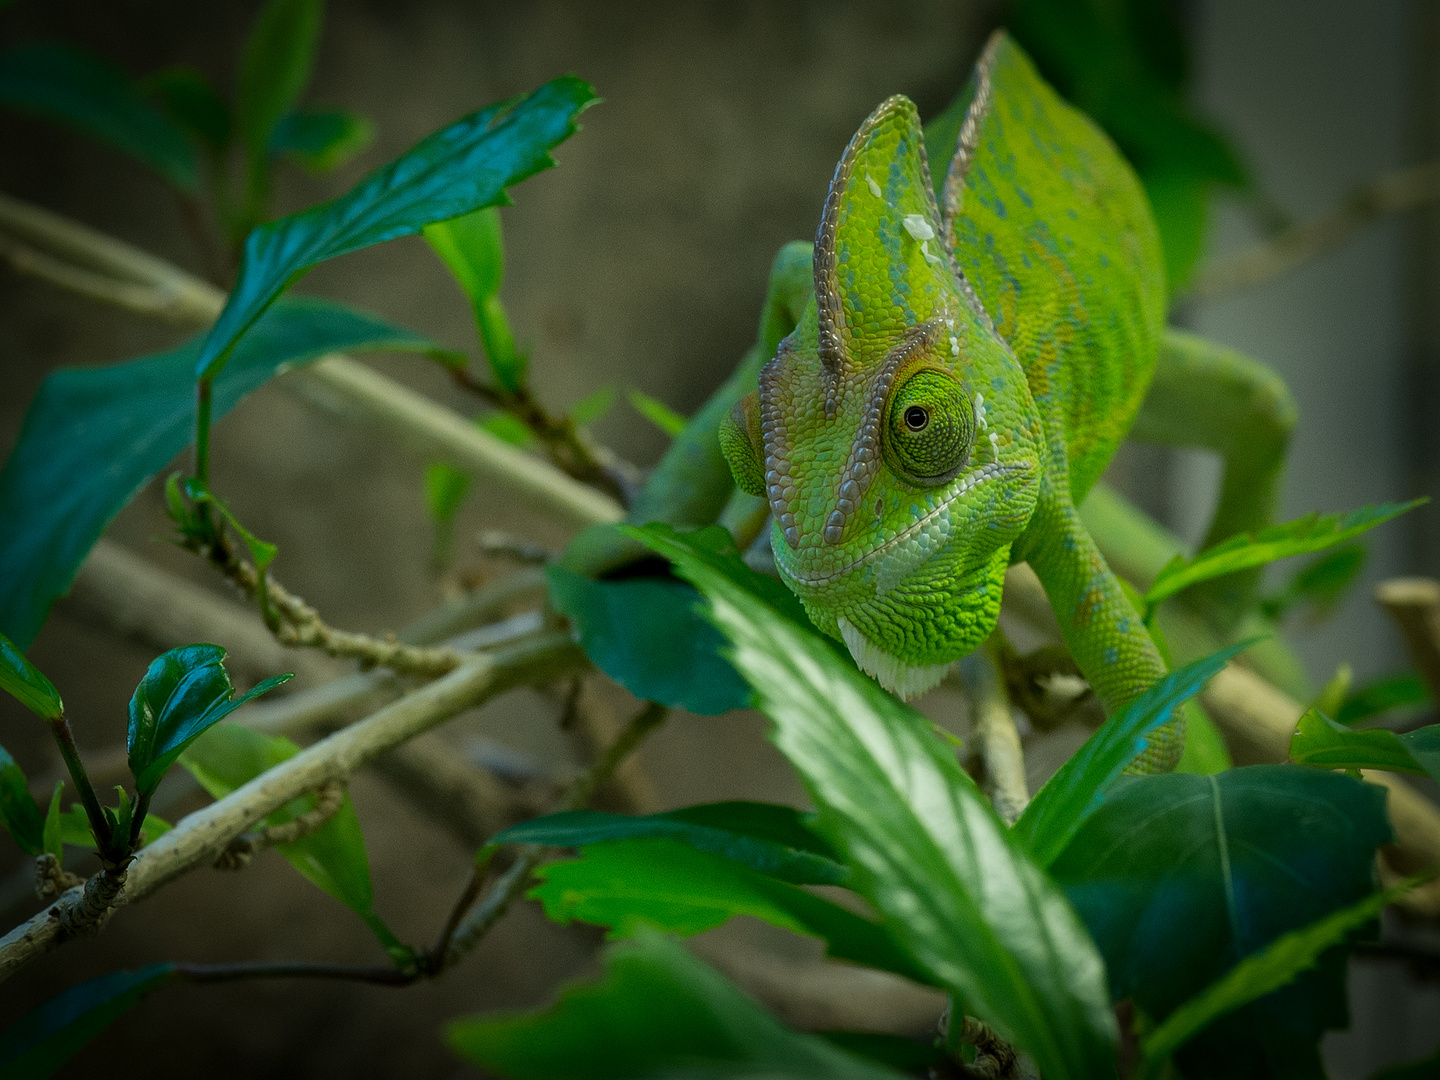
(1079,788)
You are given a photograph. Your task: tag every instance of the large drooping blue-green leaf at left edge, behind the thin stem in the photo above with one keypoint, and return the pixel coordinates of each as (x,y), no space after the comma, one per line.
(94,437)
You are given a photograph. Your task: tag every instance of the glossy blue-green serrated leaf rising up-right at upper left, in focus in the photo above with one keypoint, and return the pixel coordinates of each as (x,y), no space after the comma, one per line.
(456,171)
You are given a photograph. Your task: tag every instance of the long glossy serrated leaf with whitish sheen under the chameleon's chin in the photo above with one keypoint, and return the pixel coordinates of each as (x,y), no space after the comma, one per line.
(950,881)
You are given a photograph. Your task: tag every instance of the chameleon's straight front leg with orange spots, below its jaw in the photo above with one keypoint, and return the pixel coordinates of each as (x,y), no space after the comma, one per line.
(1101,627)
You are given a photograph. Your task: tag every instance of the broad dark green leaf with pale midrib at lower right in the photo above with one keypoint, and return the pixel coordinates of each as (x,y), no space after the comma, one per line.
(1180,878)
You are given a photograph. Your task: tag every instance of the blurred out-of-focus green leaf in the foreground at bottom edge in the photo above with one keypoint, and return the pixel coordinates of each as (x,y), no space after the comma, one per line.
(657,1009)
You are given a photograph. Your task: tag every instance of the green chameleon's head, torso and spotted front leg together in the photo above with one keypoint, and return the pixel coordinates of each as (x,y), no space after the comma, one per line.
(974,354)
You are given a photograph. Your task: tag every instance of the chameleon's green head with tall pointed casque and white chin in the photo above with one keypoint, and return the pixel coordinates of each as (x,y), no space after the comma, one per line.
(894,433)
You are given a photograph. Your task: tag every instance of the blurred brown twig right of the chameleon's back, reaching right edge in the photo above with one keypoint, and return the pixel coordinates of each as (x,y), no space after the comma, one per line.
(1392,194)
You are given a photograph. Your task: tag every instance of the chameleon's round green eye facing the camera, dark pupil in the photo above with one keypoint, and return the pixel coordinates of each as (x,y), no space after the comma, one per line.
(931,428)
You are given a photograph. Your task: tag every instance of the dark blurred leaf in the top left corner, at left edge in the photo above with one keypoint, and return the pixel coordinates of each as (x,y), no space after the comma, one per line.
(93,97)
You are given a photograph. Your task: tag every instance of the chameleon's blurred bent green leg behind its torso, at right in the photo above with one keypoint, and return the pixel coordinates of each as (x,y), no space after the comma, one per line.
(1210,397)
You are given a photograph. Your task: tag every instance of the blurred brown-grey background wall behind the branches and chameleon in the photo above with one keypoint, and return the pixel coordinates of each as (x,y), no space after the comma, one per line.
(642,263)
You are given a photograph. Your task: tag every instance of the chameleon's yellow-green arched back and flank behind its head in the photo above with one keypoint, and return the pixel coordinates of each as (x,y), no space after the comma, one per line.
(1055,234)
